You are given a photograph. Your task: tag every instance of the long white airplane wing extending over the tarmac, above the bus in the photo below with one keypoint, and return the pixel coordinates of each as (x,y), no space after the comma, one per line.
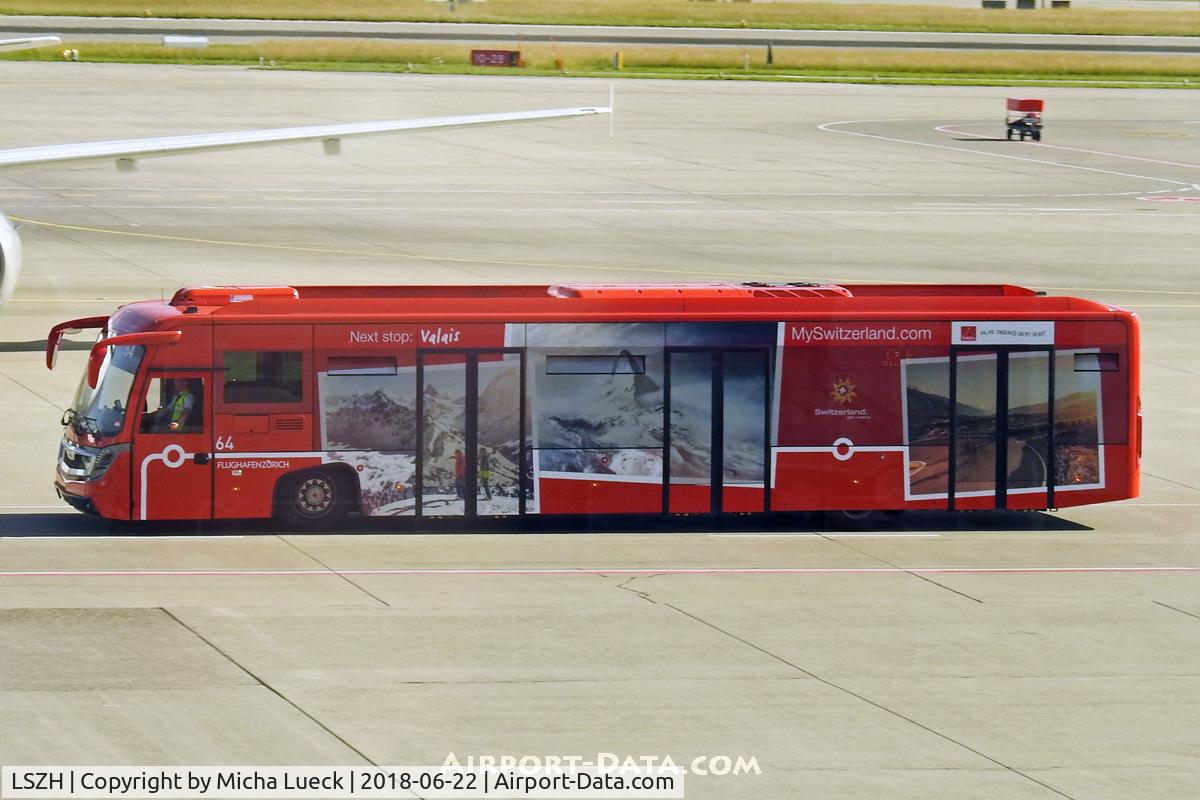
(127,152)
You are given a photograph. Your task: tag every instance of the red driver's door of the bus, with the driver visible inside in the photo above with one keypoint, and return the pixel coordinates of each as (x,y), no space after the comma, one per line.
(173,447)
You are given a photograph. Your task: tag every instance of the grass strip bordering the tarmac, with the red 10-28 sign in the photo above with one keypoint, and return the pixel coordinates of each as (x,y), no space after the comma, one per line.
(658,62)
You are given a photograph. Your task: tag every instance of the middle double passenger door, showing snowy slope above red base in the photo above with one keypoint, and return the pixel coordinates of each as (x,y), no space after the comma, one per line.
(717,430)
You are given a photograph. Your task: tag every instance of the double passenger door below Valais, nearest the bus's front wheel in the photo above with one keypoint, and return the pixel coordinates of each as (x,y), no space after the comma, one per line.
(472,430)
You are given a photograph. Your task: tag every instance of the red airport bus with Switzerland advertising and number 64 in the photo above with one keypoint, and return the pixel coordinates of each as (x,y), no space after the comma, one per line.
(309,404)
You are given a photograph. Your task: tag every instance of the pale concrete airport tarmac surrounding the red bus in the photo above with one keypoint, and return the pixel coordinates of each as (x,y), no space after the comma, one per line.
(983,657)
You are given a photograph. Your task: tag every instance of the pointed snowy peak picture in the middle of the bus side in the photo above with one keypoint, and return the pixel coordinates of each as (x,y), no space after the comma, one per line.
(613,423)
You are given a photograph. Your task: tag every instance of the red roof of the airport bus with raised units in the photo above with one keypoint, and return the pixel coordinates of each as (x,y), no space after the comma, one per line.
(583,302)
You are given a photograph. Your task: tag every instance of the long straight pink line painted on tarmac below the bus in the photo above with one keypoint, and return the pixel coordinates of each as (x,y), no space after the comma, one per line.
(242,574)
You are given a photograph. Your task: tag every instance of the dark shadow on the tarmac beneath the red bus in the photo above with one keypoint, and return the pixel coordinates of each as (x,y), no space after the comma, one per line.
(31,526)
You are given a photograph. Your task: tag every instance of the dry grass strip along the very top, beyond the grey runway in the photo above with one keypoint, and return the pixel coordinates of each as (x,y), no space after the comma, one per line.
(687,14)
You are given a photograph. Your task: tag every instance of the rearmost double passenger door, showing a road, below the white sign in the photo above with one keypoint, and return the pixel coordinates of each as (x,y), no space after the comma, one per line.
(1001,428)
